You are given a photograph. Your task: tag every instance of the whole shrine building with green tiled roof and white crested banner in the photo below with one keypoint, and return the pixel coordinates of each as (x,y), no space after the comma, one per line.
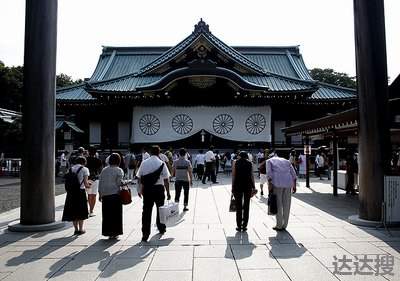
(197,93)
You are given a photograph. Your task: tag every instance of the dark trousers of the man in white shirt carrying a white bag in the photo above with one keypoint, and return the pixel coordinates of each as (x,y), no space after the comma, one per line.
(152,195)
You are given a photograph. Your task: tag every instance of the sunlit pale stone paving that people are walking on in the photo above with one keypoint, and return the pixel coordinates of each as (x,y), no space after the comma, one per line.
(203,244)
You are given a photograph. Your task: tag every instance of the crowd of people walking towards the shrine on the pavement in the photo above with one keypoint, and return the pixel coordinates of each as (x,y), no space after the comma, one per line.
(87,177)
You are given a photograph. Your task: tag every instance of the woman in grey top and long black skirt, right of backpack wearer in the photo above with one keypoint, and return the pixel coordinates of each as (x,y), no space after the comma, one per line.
(109,194)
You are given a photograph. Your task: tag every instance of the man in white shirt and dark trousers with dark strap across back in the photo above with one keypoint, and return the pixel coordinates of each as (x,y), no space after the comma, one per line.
(153,175)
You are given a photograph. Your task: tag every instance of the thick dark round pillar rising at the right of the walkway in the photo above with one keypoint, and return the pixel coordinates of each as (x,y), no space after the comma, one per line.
(373,118)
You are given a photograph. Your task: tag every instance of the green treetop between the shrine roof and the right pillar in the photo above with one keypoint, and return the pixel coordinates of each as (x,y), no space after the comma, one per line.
(330,76)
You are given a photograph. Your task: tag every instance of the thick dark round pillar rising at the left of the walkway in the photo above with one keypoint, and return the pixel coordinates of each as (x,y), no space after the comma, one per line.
(37,178)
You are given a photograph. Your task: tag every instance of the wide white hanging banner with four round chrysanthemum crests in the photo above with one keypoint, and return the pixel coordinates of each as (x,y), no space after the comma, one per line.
(170,123)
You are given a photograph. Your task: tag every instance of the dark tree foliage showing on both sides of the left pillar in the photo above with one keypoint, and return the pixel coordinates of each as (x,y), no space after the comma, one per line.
(11,83)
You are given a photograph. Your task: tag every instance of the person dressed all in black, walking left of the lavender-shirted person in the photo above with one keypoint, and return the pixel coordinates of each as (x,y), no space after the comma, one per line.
(242,188)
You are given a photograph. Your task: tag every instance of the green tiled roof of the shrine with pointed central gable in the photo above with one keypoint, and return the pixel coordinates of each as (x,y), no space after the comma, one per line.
(272,70)
